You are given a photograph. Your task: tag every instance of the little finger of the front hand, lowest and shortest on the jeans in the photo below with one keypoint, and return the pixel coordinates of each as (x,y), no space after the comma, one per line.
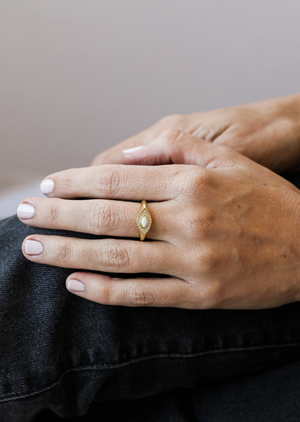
(158,292)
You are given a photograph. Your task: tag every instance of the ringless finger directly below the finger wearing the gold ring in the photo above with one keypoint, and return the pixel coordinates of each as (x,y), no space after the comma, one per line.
(109,255)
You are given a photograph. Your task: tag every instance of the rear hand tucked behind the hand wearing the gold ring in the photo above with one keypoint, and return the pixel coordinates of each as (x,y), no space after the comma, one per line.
(268,132)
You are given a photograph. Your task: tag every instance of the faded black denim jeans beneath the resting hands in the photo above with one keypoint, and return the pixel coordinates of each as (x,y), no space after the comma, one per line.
(61,352)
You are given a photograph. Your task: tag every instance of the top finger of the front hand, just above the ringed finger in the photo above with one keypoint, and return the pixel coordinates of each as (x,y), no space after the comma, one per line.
(114,182)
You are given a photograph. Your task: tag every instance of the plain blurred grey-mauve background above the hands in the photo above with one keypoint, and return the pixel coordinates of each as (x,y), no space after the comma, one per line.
(78,76)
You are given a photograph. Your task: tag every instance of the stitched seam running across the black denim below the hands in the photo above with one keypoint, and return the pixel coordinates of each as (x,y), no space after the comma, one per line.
(18,396)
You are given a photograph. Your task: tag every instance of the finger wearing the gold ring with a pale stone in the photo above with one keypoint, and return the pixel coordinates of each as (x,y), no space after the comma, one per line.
(98,217)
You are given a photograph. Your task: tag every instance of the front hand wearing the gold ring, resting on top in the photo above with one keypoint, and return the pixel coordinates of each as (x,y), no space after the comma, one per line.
(224,228)
